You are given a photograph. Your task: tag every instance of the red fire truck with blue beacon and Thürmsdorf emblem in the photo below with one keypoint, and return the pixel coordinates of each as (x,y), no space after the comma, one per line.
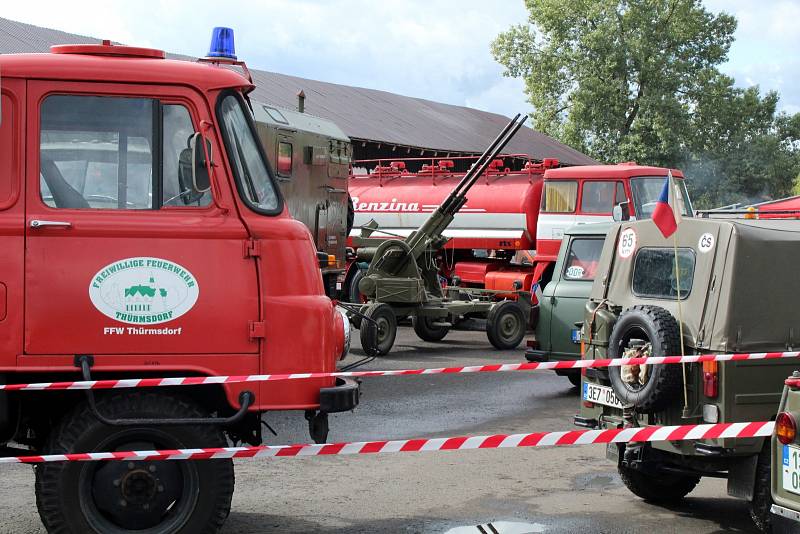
(142,233)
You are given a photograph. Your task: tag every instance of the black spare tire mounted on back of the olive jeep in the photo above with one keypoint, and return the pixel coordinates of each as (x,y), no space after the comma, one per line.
(658,327)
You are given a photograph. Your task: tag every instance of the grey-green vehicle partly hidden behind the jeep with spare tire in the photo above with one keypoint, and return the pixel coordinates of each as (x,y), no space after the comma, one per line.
(559,311)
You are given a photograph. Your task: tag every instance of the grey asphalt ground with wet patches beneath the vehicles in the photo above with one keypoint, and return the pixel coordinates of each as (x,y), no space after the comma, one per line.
(554,490)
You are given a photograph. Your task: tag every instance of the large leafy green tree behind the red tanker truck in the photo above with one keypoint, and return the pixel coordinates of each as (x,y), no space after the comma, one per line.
(639,80)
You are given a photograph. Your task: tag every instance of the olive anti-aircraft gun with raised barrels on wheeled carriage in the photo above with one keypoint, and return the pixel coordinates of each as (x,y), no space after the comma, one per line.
(402,279)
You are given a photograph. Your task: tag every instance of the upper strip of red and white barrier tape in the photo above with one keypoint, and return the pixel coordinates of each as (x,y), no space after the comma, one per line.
(492,368)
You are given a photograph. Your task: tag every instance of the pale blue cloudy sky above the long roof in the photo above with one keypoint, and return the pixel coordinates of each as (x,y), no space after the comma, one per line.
(435,49)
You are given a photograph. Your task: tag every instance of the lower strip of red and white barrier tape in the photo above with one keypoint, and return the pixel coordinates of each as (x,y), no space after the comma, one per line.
(497,441)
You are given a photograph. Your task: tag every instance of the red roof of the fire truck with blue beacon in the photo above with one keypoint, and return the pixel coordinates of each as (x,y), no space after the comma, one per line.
(119,68)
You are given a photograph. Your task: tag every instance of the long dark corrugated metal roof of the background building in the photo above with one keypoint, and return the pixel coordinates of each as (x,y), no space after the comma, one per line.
(365,114)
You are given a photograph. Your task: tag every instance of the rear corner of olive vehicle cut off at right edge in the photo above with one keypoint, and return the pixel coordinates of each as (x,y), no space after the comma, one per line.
(785,472)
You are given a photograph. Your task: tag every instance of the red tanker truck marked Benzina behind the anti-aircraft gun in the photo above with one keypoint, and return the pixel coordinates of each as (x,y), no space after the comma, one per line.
(509,232)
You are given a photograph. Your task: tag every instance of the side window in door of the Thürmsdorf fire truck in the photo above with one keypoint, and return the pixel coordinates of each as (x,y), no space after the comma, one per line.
(98,152)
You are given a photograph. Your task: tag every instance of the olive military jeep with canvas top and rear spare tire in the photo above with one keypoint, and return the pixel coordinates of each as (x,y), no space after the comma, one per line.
(735,290)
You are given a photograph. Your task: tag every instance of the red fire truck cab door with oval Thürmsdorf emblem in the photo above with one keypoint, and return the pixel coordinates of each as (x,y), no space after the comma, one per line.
(126,254)
